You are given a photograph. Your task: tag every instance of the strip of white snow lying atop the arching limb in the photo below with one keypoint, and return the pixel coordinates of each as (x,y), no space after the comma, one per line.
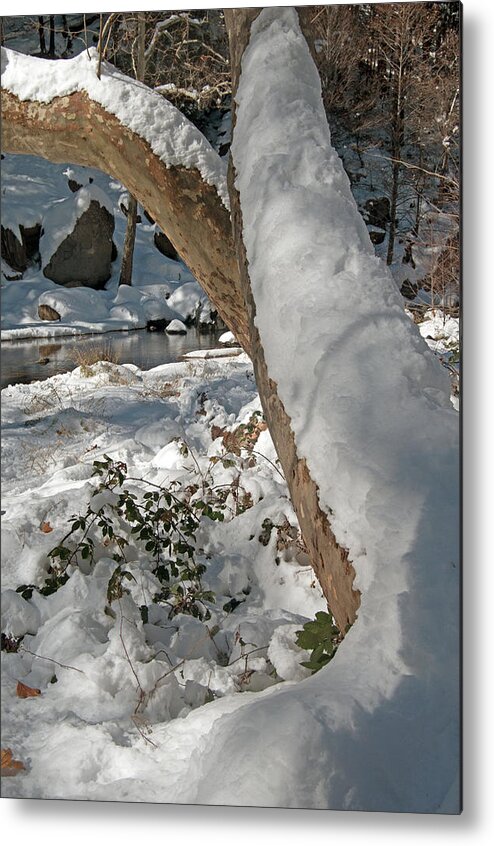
(172,137)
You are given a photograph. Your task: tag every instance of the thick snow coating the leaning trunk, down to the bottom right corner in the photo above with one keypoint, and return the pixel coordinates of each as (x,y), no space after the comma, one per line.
(370,416)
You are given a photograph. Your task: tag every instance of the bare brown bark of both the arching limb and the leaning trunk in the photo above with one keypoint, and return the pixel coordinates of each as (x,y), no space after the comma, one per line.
(74,128)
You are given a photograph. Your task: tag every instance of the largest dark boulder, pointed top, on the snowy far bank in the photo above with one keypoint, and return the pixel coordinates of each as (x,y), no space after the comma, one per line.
(84,256)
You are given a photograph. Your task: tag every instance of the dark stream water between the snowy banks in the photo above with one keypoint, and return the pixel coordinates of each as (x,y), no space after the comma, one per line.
(35,360)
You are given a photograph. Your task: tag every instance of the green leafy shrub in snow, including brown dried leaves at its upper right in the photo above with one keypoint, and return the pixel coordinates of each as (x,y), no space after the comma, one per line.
(133,514)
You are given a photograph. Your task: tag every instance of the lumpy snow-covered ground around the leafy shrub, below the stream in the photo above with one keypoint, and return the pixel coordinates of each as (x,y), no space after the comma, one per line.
(95,732)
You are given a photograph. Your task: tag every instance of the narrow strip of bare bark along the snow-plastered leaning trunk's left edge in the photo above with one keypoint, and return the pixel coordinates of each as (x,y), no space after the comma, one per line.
(329,560)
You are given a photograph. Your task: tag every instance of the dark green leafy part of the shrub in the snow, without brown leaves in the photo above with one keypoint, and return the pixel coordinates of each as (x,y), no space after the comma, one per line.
(161,523)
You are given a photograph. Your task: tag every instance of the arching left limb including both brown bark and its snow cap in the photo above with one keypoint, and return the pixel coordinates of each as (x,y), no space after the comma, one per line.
(60,111)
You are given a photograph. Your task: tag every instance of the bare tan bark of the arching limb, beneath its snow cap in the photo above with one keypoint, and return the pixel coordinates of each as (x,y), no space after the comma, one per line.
(76,129)
